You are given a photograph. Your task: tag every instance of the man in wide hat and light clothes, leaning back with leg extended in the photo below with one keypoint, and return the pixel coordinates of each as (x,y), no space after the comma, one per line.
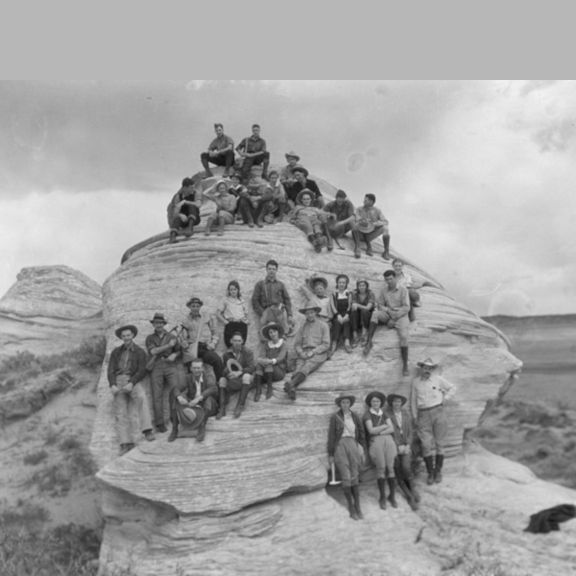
(311,344)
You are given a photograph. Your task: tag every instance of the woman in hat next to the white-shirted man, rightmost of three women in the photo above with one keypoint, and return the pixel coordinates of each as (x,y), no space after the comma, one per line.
(403,437)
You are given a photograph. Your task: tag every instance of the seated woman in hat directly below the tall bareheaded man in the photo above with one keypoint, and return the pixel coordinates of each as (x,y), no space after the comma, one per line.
(273,366)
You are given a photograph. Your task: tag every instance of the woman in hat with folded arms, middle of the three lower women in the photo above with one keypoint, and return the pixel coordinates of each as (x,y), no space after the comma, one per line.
(382,448)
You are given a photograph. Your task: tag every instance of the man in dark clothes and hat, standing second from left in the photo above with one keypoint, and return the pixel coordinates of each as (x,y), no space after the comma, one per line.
(165,368)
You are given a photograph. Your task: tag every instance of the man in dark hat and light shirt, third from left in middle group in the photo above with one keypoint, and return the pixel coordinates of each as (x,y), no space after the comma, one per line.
(199,337)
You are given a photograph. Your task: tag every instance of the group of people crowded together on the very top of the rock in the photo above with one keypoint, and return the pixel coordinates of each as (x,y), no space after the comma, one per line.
(276,195)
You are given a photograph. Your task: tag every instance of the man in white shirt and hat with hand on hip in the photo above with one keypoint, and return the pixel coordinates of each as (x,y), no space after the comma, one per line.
(428,393)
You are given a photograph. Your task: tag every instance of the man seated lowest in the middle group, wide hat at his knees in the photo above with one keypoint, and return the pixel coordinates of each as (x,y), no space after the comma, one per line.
(192,404)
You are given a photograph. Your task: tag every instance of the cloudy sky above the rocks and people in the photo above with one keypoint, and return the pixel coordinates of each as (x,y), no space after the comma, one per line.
(475,177)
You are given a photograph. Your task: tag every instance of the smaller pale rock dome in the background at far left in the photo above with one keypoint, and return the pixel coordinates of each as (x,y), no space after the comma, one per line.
(48,310)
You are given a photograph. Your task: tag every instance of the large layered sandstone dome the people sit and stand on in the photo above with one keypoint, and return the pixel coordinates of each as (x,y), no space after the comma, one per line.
(251,499)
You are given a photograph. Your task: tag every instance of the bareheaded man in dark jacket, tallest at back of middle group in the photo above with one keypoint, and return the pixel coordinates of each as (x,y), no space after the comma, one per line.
(271,301)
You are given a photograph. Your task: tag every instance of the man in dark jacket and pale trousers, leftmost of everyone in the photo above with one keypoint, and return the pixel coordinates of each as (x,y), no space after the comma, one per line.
(126,370)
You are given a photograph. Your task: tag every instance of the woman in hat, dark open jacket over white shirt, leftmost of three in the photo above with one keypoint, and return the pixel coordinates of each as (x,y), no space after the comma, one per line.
(346,445)
